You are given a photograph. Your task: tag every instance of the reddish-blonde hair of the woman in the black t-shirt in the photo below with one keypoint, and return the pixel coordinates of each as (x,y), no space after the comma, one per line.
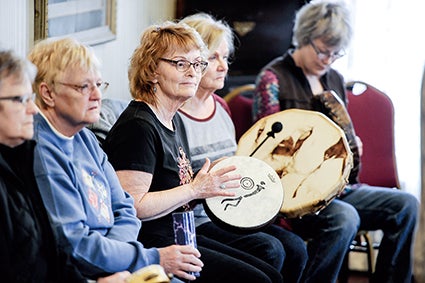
(156,41)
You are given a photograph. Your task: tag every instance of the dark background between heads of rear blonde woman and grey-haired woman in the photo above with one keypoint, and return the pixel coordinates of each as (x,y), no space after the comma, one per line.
(270,36)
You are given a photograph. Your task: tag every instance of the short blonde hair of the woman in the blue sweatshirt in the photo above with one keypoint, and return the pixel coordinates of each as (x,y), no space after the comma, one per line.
(54,56)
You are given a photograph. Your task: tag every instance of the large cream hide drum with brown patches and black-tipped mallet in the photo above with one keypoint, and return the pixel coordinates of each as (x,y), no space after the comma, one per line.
(308,151)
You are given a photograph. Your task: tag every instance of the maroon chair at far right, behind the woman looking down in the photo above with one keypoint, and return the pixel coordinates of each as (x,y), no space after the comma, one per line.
(372,114)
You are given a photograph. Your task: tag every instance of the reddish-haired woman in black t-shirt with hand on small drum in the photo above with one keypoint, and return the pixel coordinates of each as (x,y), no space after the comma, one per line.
(149,150)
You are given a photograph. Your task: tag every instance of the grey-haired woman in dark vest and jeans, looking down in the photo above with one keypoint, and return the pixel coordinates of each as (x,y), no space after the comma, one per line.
(321,33)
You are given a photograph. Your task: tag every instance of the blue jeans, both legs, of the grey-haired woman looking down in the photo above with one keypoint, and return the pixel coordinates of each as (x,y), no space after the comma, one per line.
(367,208)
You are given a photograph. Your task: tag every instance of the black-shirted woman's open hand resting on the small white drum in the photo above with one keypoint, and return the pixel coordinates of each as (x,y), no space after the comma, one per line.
(209,182)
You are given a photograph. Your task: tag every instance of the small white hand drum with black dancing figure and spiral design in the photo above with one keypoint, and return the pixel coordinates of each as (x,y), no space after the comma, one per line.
(257,201)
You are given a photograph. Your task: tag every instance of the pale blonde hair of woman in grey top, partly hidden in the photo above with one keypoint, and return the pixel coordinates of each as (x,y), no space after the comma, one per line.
(212,31)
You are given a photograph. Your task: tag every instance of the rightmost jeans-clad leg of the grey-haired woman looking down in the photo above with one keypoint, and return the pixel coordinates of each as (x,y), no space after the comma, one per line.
(394,212)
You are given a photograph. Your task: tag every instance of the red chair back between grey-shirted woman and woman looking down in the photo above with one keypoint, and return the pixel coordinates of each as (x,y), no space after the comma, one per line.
(240,102)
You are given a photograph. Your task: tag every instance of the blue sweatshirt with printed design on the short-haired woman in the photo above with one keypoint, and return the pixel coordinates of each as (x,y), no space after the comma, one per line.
(85,200)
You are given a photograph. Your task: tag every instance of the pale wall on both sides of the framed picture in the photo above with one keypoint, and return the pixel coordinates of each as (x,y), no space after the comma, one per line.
(133,16)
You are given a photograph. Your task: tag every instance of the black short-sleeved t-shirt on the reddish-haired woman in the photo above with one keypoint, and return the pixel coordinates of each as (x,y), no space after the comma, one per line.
(139,141)
